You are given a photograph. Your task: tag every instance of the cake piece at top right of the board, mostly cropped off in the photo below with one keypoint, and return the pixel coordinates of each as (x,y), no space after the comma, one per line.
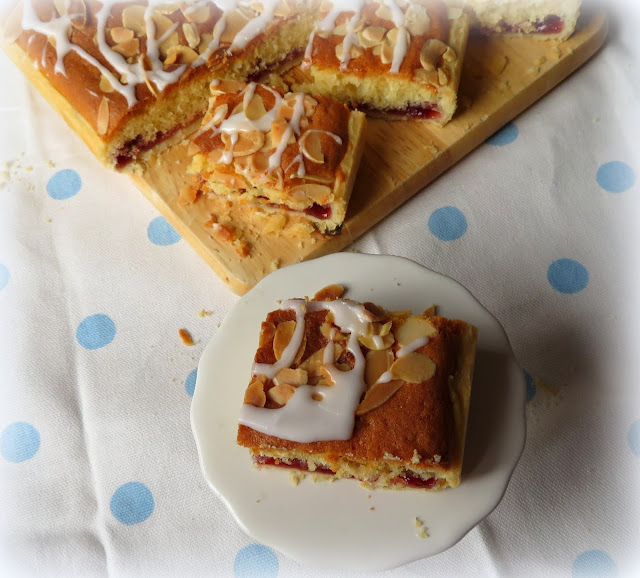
(541,19)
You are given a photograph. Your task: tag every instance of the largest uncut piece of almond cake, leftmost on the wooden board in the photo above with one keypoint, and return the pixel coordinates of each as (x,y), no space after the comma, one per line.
(130,76)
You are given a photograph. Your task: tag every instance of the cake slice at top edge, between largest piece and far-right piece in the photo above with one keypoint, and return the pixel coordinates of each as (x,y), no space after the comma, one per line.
(399,60)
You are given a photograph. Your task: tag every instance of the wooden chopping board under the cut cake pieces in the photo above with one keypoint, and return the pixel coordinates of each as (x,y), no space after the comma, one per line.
(501,78)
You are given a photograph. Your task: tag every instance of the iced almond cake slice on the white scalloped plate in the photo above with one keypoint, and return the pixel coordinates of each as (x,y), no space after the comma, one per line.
(349,390)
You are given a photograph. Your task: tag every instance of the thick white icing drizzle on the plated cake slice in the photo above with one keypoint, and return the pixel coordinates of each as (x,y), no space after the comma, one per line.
(303,419)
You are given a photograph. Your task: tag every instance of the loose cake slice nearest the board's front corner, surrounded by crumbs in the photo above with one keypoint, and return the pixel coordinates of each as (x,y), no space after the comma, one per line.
(288,152)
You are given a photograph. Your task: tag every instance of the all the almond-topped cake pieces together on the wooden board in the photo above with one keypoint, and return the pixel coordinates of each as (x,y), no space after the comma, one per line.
(132,78)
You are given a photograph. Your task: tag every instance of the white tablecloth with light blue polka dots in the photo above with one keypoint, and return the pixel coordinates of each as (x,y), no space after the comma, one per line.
(99,471)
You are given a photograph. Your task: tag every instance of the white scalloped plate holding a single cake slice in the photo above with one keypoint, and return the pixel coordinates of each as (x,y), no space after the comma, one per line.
(340,524)
